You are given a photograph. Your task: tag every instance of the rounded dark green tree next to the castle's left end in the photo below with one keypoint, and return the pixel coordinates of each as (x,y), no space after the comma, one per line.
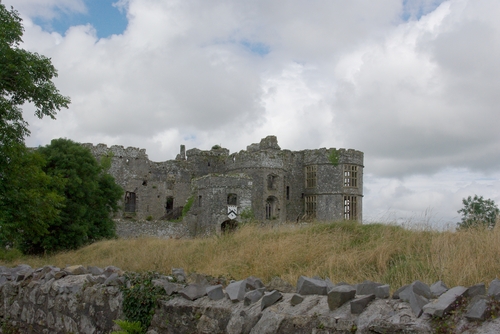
(91,196)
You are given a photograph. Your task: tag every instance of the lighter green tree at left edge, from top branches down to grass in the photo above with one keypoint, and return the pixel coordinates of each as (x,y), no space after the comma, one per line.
(29,200)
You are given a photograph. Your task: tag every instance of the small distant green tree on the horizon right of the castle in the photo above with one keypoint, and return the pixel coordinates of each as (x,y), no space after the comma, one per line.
(478,212)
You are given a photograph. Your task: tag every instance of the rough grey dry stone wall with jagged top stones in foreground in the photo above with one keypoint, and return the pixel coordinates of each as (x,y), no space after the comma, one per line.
(80,299)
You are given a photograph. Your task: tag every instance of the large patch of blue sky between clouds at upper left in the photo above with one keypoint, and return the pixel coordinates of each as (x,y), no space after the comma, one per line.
(101,14)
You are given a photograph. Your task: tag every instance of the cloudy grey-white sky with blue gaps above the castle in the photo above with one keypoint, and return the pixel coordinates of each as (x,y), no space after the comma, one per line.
(412,83)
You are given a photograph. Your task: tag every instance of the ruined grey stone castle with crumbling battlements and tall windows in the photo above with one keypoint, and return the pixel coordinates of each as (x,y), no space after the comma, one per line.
(212,191)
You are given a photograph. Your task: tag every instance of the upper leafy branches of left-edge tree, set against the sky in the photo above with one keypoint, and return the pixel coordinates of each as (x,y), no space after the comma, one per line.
(25,77)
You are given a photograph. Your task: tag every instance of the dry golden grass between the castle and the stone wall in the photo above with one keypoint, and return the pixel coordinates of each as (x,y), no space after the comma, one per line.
(342,251)
